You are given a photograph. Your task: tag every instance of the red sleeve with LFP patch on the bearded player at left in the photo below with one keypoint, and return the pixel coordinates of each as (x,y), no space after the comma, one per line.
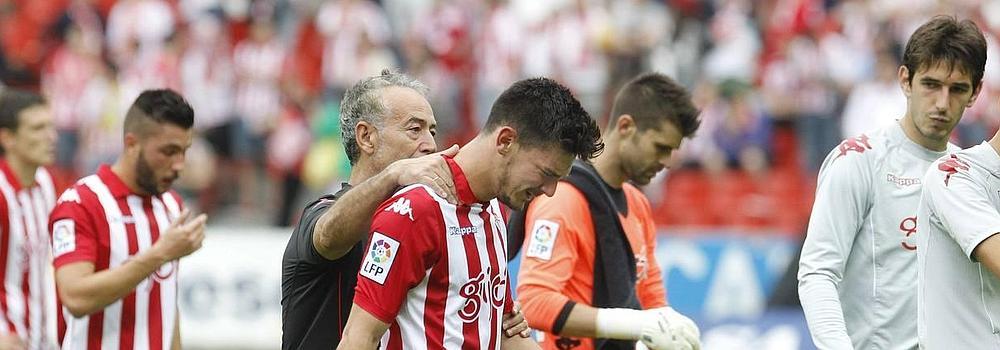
(74,235)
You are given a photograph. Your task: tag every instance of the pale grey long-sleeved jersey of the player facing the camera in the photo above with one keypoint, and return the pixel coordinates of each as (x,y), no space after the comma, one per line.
(857,282)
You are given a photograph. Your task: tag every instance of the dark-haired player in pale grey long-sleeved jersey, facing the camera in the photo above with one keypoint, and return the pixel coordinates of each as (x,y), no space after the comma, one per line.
(857,274)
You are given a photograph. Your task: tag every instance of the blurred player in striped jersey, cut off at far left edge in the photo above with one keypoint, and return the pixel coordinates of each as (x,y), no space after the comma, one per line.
(27,195)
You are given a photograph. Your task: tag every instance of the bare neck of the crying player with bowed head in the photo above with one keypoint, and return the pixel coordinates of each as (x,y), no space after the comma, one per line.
(478,170)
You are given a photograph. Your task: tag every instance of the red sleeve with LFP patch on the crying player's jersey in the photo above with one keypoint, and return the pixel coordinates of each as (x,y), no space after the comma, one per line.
(404,242)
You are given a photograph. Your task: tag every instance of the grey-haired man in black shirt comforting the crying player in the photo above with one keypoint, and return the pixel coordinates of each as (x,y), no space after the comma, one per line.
(386,120)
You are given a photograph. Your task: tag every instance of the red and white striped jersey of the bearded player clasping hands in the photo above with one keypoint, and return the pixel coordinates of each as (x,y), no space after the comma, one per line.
(99,220)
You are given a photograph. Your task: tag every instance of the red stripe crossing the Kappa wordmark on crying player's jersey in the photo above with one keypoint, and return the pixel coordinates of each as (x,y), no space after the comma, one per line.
(474,304)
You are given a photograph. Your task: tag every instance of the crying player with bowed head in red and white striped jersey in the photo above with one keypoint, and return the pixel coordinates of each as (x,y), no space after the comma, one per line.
(434,273)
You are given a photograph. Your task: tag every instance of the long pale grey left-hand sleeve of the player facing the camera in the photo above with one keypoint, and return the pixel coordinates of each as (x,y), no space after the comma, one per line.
(841,204)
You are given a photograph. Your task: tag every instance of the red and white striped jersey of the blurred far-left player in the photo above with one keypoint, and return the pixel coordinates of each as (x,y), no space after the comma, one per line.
(27,295)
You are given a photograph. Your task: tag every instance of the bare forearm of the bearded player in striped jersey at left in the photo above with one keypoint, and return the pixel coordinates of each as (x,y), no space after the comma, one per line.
(94,291)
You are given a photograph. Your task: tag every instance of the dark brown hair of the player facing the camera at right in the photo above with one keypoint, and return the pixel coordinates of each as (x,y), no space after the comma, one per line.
(946,40)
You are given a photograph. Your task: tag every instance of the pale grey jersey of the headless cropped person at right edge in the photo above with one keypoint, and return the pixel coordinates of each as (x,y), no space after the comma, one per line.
(959,299)
